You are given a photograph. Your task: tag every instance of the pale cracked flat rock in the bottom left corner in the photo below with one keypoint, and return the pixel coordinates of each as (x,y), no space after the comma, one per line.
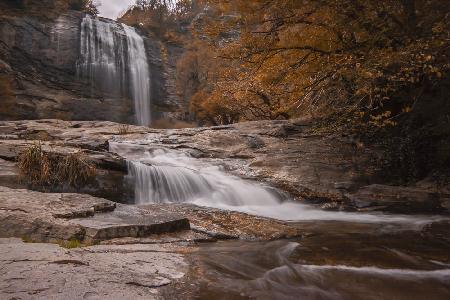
(47,271)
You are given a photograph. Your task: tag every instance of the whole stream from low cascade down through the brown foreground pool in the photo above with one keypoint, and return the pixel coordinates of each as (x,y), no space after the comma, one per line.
(343,256)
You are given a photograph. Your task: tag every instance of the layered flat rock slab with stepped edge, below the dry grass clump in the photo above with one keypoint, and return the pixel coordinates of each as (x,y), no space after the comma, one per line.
(51,217)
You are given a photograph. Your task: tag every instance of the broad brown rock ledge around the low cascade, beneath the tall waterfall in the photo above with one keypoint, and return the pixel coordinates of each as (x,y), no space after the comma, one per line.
(334,172)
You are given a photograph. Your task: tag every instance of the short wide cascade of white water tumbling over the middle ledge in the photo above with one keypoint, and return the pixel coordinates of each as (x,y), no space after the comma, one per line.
(162,175)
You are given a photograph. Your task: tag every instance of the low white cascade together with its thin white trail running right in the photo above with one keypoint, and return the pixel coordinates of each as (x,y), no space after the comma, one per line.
(162,176)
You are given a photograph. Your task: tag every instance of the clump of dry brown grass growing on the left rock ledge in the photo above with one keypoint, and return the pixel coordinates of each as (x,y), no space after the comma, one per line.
(48,169)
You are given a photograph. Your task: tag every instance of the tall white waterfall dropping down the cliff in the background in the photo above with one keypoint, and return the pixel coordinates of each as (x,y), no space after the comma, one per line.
(113,58)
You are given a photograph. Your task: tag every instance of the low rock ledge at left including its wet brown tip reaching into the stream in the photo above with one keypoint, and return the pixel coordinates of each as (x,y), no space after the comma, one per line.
(55,217)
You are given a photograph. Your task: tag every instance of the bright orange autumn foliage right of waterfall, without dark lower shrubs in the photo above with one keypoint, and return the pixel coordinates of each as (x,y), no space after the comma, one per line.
(366,60)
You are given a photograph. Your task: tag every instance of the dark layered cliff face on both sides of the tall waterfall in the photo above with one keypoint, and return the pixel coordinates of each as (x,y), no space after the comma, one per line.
(39,56)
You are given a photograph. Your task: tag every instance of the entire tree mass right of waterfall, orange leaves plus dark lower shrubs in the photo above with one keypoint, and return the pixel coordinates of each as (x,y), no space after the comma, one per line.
(375,69)
